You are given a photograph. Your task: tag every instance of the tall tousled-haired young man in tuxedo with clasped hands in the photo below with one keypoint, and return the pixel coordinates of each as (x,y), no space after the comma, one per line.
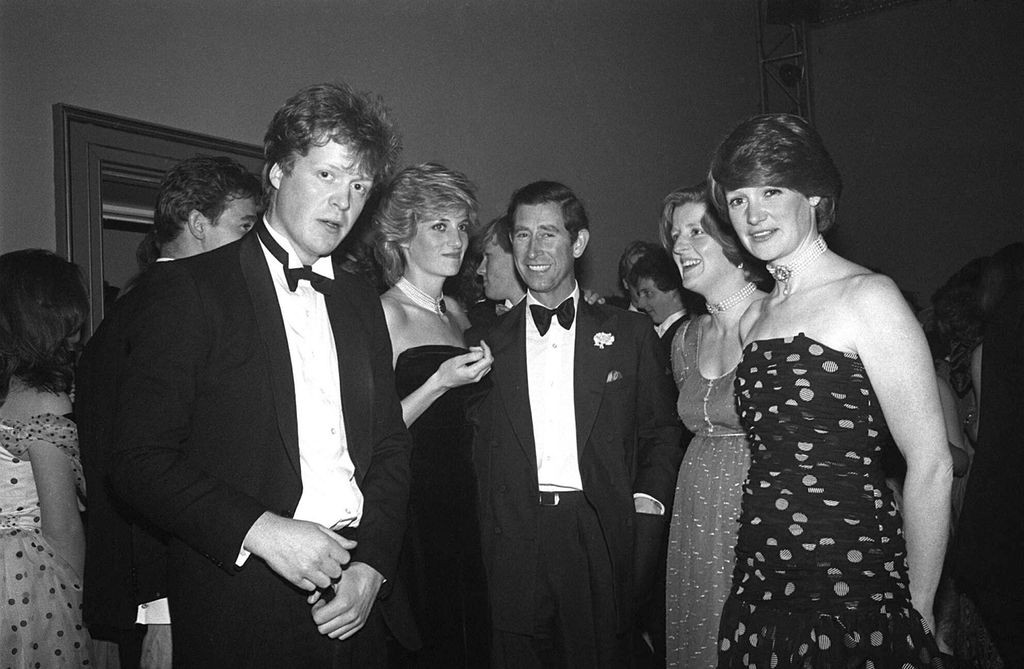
(259,425)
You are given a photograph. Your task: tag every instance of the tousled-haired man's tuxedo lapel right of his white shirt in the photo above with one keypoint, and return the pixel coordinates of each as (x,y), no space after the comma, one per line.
(354,369)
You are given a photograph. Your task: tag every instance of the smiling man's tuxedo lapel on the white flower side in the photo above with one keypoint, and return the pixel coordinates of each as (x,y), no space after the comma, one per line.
(590,372)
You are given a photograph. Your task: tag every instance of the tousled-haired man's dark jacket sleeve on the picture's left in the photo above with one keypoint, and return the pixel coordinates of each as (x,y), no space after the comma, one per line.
(168,346)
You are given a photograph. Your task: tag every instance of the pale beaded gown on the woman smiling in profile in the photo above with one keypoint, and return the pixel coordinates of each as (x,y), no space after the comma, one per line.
(706,513)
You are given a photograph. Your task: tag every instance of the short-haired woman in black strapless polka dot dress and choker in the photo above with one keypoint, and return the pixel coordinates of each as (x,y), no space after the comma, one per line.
(828,575)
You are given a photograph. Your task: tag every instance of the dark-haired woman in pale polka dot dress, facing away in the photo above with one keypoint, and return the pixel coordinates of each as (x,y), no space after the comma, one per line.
(42,543)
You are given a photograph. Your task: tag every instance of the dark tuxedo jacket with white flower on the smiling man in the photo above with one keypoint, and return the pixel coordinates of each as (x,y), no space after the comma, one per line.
(628,442)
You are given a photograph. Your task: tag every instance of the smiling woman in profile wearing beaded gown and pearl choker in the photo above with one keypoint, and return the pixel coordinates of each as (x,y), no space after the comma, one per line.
(705,353)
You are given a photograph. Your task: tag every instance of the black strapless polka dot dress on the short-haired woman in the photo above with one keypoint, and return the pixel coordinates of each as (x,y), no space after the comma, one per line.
(821,577)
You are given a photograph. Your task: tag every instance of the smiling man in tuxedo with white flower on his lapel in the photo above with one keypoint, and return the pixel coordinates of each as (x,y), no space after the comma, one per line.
(577,452)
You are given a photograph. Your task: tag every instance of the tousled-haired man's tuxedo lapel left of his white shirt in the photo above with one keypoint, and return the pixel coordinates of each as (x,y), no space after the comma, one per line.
(272,333)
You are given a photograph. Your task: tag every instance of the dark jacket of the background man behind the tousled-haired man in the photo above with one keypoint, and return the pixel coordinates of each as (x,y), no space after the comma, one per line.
(125,557)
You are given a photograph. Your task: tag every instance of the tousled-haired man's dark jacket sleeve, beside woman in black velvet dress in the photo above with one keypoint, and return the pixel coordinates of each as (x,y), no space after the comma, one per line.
(386,485)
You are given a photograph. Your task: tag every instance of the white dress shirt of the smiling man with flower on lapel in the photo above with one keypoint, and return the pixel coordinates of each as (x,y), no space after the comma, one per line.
(552,403)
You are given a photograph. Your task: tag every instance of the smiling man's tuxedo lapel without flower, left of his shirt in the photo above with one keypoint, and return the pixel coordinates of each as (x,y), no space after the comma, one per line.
(508,344)
